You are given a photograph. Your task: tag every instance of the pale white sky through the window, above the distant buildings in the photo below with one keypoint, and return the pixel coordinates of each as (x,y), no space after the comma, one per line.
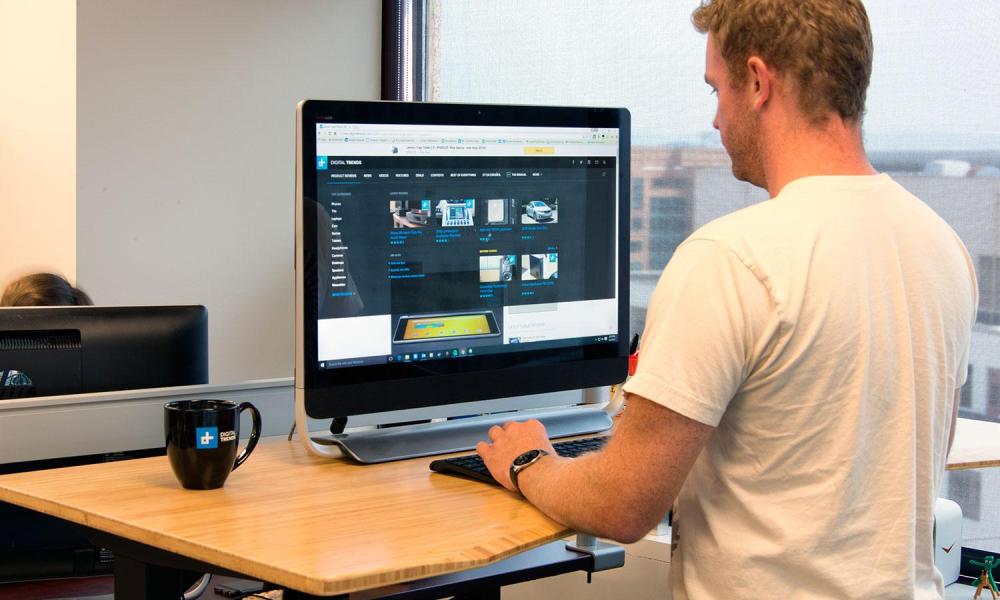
(934,83)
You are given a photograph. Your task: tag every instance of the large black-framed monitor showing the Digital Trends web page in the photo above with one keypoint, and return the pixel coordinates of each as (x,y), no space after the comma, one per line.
(449,253)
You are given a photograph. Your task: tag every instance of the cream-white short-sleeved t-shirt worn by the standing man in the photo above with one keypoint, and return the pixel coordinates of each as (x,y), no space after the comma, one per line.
(823,333)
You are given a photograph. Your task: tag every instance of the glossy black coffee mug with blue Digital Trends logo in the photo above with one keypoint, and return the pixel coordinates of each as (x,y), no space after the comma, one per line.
(202,438)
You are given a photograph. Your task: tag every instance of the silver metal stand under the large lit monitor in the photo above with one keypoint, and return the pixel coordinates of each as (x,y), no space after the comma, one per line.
(455,435)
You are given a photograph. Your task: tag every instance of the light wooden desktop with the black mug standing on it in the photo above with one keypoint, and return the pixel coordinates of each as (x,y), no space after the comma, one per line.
(317,525)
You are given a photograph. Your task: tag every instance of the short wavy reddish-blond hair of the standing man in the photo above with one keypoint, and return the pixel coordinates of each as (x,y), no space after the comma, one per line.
(824,47)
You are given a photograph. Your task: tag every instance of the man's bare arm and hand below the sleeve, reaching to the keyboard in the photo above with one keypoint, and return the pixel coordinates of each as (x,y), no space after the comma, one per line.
(621,492)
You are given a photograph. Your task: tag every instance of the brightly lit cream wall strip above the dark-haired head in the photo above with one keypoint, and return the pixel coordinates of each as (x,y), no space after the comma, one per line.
(37,138)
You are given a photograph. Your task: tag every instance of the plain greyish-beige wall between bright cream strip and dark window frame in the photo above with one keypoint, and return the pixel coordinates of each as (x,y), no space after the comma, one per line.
(186,155)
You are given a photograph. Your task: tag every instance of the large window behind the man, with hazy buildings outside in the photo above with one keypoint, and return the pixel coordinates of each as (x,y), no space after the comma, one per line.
(942,143)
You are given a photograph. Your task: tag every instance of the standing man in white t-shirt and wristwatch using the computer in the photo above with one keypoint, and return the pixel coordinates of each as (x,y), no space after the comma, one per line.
(801,360)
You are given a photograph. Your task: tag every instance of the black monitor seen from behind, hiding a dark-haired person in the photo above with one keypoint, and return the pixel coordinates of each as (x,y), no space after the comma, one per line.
(55,350)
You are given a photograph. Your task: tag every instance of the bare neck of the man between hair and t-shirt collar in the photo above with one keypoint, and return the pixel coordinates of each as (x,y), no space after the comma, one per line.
(799,150)
